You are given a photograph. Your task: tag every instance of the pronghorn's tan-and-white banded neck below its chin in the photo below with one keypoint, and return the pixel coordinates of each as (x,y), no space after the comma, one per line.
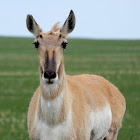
(53,101)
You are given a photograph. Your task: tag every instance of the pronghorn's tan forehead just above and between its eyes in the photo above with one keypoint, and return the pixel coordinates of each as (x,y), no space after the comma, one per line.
(50,38)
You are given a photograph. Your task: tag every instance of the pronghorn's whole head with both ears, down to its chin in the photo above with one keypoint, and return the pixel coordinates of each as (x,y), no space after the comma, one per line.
(50,46)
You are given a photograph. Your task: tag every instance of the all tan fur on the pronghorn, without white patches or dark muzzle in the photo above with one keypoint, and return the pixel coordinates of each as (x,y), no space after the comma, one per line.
(82,94)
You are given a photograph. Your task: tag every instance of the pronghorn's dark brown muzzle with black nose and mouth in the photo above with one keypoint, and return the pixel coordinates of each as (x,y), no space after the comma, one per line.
(50,68)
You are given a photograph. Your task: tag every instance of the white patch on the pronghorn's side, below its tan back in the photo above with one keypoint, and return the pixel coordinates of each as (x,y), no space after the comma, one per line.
(101,122)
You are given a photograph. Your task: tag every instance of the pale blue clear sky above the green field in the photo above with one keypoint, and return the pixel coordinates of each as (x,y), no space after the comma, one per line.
(95,19)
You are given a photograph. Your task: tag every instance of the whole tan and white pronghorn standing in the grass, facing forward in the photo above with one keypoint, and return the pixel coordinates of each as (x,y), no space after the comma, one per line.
(80,107)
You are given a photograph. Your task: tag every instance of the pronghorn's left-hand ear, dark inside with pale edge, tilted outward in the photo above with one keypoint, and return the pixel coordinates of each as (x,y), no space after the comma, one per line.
(32,26)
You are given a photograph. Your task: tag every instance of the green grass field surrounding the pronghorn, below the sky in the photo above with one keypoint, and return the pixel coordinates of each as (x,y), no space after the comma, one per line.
(117,61)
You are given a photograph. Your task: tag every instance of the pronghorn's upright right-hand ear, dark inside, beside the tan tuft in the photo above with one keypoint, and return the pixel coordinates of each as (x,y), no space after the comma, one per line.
(68,25)
